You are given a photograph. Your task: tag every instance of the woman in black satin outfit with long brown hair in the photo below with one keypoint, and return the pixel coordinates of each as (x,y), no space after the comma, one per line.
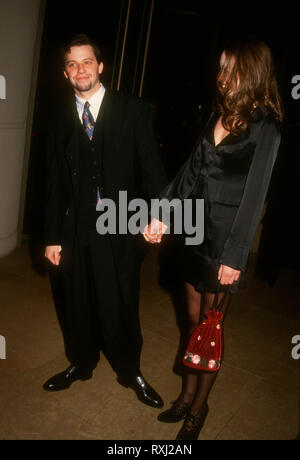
(230,167)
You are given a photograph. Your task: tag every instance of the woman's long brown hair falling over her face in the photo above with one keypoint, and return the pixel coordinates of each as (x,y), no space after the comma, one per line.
(246,80)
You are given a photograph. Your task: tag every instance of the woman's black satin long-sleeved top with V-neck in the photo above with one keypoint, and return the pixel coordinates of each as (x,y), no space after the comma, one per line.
(233,177)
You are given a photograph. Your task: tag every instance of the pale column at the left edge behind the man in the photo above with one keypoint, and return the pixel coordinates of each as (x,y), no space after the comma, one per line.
(18,29)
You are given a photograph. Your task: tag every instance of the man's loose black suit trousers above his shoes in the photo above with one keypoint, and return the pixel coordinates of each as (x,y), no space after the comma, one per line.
(94,315)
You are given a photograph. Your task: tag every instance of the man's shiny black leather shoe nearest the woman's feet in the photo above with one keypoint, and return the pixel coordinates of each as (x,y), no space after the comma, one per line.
(145,393)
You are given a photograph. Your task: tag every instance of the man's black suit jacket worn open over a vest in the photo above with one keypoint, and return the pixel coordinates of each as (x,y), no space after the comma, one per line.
(130,161)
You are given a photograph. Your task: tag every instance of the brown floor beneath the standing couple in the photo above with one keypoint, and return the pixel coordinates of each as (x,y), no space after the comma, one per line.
(256,395)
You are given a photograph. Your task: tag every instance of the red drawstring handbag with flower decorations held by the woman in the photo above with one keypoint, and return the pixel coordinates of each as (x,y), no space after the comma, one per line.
(204,351)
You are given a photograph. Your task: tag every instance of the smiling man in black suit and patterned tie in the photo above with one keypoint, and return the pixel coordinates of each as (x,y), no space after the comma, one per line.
(102,144)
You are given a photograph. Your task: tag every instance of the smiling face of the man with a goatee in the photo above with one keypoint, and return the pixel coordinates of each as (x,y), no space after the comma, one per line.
(82,68)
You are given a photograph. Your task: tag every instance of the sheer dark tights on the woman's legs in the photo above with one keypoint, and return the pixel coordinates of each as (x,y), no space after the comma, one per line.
(196,386)
